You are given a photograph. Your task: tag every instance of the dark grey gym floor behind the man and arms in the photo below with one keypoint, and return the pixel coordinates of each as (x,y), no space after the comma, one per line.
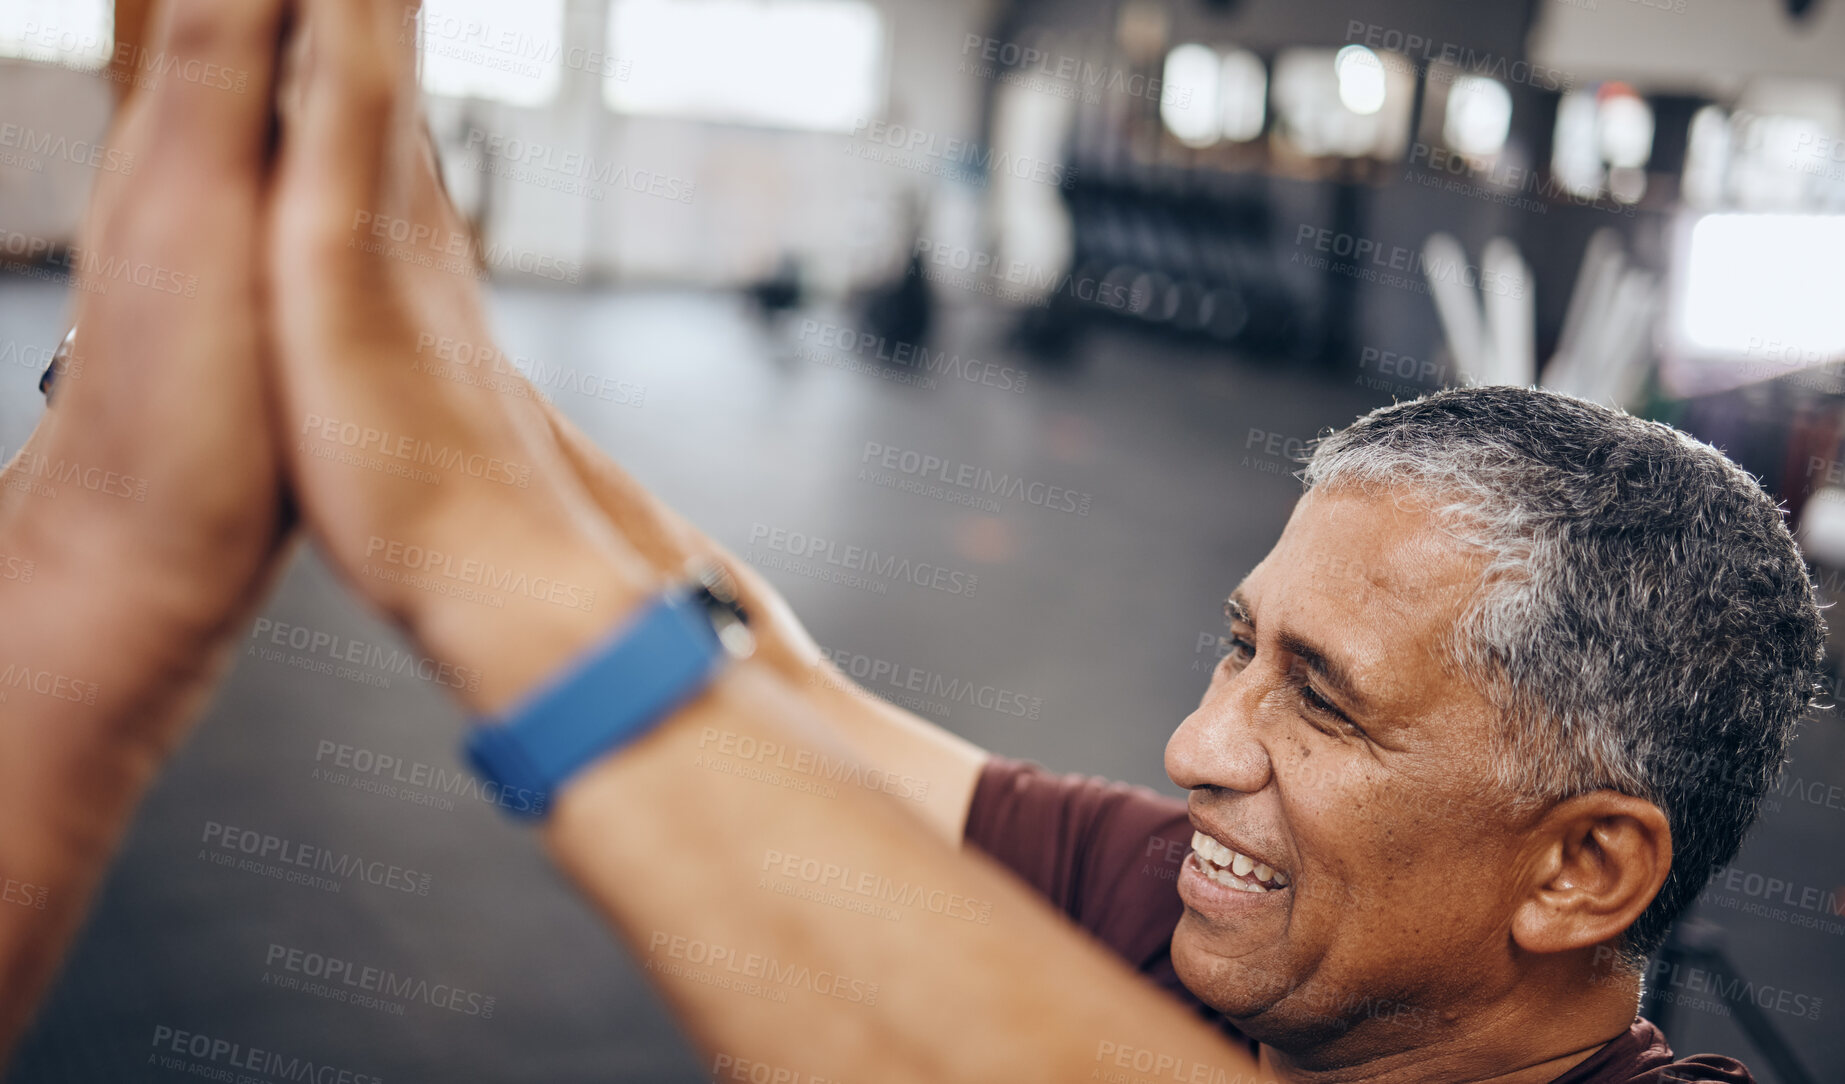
(1095,628)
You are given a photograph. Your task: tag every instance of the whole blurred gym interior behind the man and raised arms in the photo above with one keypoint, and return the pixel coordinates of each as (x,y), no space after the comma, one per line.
(805,265)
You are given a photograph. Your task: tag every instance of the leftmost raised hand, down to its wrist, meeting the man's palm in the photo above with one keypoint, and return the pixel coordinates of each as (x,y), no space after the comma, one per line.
(152,486)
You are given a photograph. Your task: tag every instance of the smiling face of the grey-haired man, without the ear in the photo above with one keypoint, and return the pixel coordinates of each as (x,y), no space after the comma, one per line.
(1337,749)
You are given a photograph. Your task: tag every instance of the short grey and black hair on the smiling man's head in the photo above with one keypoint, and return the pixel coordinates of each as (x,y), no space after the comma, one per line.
(1645,626)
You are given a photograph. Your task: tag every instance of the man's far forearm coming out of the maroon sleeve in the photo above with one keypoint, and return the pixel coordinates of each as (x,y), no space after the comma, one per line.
(925,766)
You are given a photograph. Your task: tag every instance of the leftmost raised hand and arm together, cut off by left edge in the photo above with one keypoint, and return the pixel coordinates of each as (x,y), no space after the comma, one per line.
(143,519)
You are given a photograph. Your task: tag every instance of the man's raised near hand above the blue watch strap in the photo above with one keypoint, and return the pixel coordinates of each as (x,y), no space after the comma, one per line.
(444,502)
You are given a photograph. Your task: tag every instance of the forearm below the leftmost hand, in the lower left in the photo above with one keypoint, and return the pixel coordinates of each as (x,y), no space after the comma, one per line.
(95,689)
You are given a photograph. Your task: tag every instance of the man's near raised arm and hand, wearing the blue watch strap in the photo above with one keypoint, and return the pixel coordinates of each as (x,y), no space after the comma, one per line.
(820,936)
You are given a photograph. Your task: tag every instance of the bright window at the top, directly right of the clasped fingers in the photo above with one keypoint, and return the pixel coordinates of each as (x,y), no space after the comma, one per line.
(497,51)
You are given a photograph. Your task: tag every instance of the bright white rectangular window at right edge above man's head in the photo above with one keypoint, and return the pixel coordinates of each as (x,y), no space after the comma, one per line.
(1765,285)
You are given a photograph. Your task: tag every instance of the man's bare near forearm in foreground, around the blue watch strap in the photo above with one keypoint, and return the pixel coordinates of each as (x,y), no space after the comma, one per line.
(811,923)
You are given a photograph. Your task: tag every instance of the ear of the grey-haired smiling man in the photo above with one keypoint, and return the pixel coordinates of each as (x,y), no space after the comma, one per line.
(1599,862)
